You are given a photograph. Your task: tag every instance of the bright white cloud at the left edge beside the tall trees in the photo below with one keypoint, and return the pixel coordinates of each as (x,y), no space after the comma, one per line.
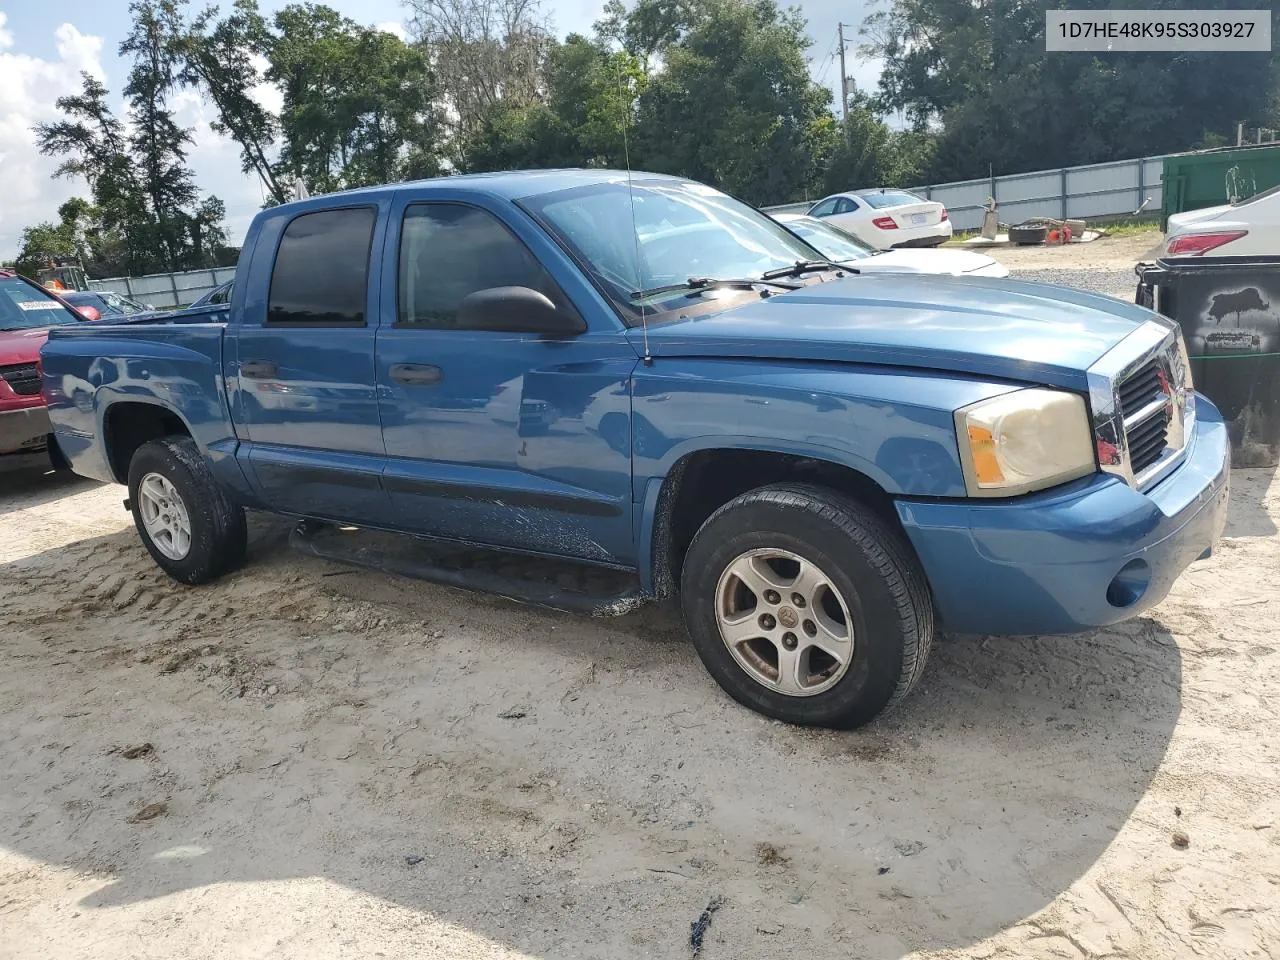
(29,88)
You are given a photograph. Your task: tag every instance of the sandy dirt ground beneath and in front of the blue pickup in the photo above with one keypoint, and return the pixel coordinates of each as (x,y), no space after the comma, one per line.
(310,762)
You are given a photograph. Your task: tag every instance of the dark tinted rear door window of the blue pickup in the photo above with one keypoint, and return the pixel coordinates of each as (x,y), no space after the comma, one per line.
(322,269)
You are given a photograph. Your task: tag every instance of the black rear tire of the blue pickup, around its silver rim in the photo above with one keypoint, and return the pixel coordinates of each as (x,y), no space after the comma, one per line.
(218,533)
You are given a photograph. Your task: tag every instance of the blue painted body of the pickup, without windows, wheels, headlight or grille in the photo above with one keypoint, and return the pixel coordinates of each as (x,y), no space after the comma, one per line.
(563,446)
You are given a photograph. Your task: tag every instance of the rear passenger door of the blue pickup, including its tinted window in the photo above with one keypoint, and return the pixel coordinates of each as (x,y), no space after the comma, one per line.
(304,368)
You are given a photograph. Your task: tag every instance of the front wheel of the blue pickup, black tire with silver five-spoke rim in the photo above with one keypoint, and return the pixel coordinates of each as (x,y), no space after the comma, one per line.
(807,607)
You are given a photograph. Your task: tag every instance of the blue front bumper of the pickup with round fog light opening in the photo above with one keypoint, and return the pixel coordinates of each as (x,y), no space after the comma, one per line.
(1092,554)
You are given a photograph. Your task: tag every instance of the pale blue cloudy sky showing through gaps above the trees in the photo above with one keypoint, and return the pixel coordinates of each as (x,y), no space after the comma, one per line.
(45,49)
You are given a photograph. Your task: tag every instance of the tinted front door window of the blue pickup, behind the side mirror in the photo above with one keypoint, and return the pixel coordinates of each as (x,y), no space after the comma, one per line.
(450,252)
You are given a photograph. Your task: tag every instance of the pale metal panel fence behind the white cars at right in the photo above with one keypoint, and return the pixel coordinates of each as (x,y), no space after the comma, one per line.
(1078,193)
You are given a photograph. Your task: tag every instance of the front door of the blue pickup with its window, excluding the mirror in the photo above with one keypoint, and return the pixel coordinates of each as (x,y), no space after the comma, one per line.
(510,440)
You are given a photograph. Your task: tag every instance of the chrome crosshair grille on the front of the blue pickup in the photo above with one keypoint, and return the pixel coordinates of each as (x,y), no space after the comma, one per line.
(1142,406)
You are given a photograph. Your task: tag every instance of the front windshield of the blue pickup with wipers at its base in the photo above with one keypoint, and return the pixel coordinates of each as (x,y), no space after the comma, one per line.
(676,232)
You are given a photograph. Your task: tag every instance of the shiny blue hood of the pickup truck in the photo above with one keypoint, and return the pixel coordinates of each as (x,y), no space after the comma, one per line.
(994,328)
